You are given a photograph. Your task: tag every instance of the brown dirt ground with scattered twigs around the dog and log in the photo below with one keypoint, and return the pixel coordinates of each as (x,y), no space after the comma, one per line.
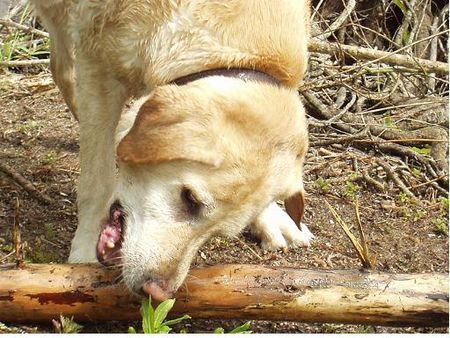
(39,140)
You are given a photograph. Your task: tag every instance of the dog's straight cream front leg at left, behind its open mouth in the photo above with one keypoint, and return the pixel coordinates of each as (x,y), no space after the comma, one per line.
(100,100)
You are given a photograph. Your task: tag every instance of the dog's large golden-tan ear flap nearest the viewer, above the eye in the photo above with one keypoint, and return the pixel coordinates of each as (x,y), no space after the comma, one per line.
(161,132)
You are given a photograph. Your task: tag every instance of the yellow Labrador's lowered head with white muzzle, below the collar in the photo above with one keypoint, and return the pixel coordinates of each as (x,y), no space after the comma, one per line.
(200,159)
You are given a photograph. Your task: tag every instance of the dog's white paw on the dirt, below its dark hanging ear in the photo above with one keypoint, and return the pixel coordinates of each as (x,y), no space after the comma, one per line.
(277,230)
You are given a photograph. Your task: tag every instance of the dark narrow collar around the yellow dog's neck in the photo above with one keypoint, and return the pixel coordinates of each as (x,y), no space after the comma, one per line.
(239,73)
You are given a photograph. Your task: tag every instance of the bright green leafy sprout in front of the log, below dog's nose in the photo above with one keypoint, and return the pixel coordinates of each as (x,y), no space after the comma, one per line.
(153,320)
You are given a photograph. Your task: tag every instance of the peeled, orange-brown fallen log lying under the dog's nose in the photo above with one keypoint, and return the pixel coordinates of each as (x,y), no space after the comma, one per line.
(41,292)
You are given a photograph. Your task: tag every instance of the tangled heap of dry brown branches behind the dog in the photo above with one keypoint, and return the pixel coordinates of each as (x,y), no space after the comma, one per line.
(377,91)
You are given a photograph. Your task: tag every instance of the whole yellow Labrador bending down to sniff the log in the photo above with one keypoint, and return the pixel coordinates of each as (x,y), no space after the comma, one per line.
(216,135)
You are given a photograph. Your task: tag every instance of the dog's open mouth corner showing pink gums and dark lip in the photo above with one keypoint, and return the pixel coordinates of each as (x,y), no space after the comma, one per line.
(111,236)
